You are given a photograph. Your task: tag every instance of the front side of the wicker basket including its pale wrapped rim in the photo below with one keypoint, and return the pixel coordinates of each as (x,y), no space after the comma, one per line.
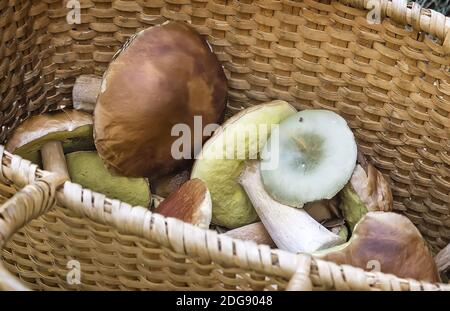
(120,247)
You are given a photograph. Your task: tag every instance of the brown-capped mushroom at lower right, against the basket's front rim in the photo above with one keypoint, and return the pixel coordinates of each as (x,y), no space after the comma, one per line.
(389,242)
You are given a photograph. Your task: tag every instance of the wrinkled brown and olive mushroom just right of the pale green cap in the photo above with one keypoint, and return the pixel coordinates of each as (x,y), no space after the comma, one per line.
(367,191)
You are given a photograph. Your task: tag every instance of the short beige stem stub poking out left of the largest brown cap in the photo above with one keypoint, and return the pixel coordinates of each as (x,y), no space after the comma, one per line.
(85,92)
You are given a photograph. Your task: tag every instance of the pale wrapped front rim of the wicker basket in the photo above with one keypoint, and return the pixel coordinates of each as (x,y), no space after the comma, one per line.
(169,232)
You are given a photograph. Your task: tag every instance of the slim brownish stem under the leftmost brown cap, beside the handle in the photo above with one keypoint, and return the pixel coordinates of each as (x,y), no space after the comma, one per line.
(53,159)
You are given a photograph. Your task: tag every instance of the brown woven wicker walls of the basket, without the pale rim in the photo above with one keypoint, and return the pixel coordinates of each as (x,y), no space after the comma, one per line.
(391,82)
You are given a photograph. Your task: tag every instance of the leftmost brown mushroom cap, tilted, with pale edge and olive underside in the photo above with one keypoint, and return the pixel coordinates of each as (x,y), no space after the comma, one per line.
(72,128)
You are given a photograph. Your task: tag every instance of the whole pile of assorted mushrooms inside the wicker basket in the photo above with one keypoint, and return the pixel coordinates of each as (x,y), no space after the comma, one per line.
(321,198)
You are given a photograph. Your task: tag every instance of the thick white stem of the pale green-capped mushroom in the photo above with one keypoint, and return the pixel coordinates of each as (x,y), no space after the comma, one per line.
(291,229)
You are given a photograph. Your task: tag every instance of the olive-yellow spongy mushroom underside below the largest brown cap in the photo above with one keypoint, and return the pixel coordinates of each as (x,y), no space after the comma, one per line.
(87,169)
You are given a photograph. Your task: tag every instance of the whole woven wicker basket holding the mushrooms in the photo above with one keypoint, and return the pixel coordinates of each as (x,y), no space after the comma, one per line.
(391,81)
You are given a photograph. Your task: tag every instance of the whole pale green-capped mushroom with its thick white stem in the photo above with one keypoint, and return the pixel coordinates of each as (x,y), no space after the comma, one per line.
(316,153)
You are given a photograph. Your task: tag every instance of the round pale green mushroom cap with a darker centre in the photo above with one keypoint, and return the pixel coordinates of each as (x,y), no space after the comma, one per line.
(316,153)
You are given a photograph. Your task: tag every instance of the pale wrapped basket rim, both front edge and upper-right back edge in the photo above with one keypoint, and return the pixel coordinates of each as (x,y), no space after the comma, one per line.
(141,222)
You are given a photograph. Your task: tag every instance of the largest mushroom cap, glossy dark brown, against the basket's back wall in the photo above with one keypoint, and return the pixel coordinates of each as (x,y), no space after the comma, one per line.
(165,76)
